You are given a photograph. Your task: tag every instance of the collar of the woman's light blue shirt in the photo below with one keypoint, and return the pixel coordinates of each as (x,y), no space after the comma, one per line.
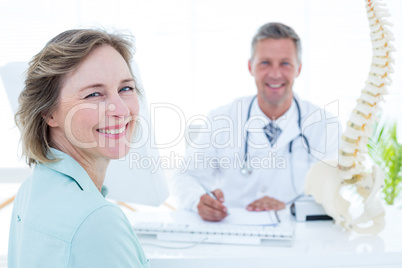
(71,168)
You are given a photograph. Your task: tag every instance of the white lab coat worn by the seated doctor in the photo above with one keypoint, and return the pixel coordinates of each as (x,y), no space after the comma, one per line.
(218,164)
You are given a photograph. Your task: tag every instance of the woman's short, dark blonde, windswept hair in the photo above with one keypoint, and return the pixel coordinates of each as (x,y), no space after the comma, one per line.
(45,77)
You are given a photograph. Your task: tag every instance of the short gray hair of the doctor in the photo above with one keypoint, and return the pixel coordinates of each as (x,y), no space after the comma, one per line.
(276,30)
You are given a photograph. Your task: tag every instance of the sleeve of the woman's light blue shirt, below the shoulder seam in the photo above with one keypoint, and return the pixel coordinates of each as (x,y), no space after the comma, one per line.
(106,238)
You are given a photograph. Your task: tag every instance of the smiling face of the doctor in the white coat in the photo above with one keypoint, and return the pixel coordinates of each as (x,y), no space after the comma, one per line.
(275,67)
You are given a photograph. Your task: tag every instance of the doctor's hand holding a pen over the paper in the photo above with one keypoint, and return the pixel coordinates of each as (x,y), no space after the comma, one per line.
(211,209)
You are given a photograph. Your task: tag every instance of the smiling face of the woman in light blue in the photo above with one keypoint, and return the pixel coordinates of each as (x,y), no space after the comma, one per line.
(97,107)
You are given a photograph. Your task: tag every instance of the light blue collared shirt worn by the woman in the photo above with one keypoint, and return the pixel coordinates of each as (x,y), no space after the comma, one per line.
(60,219)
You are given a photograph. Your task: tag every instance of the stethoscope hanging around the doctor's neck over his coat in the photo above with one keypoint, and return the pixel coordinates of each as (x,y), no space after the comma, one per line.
(246,169)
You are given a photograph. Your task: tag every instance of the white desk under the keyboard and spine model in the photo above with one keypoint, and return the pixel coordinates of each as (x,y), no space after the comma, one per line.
(316,244)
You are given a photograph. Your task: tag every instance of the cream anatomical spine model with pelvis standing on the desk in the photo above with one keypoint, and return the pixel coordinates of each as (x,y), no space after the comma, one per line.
(324,181)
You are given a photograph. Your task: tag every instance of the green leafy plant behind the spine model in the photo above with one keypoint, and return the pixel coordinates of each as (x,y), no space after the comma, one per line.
(386,152)
